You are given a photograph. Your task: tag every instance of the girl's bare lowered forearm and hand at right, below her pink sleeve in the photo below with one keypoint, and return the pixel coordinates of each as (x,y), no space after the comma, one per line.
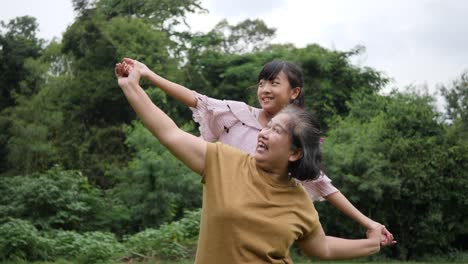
(344,205)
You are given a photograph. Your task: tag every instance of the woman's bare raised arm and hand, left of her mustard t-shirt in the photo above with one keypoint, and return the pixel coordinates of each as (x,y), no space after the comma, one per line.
(189,149)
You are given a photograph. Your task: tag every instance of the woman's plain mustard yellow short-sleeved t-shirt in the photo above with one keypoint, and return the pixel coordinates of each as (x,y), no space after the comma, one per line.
(248,216)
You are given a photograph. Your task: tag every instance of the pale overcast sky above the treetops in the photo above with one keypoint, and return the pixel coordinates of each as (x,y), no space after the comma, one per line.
(414,42)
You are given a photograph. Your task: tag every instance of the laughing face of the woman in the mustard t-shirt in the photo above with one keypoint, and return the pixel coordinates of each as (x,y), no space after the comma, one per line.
(273,143)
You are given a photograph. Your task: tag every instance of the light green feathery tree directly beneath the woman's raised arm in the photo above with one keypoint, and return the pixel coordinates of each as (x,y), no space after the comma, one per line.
(155,186)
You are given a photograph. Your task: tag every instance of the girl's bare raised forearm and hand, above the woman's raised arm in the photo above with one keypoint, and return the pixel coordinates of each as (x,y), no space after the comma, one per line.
(174,90)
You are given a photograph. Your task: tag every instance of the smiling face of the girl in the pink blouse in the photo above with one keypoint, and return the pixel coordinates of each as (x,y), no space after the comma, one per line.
(275,94)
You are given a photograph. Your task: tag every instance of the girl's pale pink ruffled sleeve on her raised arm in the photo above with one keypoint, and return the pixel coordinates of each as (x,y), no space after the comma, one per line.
(213,116)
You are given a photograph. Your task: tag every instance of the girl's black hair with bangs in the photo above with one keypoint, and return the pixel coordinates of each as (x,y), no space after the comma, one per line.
(295,77)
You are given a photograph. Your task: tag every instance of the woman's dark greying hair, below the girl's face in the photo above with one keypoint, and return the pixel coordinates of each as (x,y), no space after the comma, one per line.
(304,131)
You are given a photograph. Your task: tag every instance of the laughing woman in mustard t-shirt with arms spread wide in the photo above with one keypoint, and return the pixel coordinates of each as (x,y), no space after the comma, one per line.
(253,209)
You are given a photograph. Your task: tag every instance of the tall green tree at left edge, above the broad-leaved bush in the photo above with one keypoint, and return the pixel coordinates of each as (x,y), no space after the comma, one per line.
(34,125)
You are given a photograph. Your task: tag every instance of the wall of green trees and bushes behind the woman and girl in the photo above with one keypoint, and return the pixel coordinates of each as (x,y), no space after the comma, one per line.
(83,180)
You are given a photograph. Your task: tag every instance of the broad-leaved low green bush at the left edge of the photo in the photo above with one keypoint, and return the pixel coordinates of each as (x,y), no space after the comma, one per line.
(56,199)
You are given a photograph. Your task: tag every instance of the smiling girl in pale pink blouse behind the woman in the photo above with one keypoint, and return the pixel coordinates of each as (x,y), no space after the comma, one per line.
(279,84)
